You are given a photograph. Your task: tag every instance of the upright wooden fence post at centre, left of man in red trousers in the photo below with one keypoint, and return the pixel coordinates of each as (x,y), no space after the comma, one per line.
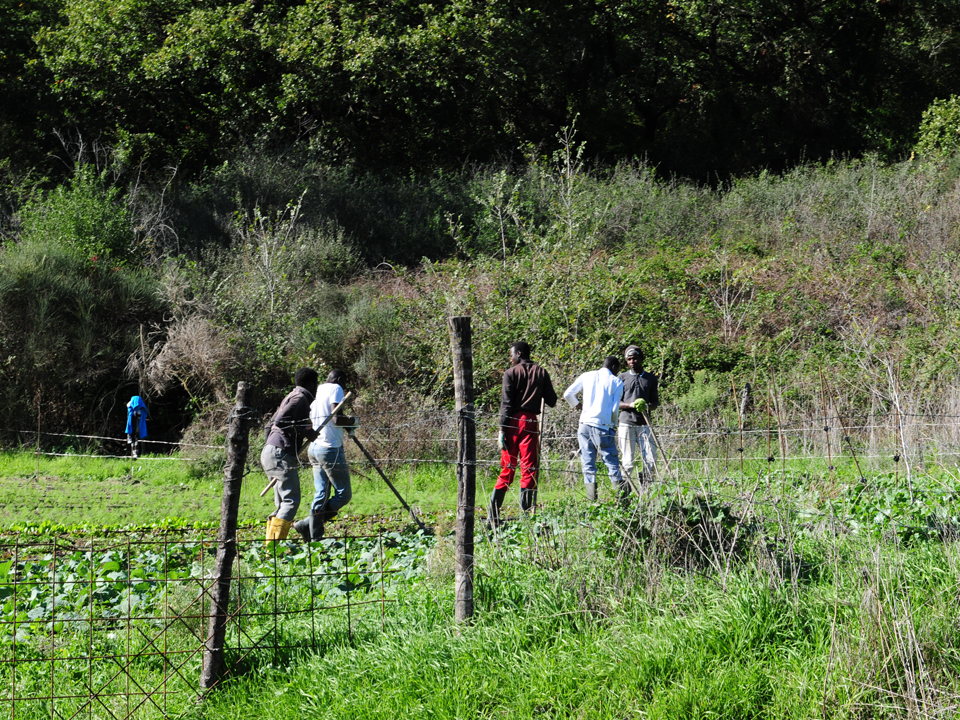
(461,346)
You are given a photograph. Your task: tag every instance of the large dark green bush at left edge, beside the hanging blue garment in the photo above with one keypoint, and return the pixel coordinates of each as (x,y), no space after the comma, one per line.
(67,326)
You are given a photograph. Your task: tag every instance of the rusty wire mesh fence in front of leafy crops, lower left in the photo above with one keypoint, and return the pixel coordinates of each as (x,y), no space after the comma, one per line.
(116,627)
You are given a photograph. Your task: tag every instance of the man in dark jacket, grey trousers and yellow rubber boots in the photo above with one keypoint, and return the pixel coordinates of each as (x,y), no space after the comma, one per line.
(287,431)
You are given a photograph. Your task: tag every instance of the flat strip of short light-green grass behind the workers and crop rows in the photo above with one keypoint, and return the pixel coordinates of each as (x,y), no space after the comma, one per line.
(80,490)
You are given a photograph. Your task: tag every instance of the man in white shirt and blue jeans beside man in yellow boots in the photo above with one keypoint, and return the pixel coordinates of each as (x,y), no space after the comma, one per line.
(331,475)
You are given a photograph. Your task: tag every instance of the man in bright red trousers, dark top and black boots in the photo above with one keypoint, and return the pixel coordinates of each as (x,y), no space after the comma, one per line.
(526,388)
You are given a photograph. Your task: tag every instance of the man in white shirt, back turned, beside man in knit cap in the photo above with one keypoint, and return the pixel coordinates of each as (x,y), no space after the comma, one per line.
(602,391)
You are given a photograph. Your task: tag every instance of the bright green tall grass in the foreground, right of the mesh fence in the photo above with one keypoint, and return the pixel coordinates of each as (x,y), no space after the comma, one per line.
(565,629)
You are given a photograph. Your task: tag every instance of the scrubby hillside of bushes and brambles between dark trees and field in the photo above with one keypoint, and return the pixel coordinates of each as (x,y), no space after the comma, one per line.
(271,263)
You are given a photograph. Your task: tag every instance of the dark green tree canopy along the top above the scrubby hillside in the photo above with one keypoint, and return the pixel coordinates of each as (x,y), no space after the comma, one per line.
(704,88)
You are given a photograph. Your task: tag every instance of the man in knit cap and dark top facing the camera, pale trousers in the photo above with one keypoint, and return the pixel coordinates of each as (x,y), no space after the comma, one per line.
(640,396)
